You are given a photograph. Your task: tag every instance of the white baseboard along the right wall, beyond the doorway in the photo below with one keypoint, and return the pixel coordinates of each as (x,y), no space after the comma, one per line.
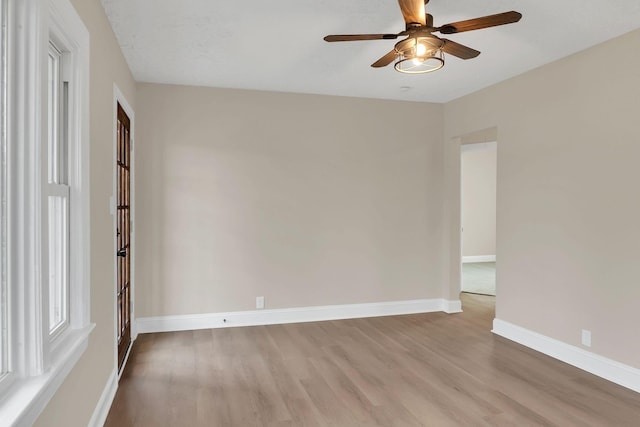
(619,373)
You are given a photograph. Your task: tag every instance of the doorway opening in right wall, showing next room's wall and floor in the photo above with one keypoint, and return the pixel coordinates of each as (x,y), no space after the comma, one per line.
(478,217)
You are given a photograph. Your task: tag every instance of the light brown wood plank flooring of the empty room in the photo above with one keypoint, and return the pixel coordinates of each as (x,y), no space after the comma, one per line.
(418,370)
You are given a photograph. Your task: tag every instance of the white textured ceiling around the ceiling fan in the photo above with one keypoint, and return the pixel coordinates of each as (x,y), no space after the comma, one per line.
(278,45)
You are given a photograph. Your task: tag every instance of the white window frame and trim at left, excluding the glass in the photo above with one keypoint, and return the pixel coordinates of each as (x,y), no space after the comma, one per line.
(37,362)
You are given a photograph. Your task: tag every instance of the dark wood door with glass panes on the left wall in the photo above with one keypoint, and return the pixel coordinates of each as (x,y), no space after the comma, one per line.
(123,235)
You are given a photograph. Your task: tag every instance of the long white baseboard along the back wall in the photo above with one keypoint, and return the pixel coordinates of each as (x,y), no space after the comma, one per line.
(292,315)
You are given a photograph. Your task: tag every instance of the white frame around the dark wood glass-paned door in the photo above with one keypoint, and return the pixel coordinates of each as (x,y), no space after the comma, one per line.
(119,98)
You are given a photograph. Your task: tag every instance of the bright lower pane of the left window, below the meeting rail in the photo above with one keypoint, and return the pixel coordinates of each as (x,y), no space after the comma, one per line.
(58,262)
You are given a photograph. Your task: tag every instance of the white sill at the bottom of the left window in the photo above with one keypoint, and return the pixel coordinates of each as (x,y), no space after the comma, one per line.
(24,400)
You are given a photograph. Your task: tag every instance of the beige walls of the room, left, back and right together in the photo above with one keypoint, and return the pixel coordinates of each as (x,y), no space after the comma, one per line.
(312,200)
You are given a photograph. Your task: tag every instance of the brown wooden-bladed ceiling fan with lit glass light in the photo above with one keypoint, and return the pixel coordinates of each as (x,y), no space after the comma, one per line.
(421,51)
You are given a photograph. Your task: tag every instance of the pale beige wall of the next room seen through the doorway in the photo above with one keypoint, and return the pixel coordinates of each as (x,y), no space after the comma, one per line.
(478,199)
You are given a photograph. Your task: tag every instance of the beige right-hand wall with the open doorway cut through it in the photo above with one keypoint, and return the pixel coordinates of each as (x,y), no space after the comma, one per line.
(567,208)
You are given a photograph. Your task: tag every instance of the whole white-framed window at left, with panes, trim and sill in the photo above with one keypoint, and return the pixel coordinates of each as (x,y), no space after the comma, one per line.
(44,203)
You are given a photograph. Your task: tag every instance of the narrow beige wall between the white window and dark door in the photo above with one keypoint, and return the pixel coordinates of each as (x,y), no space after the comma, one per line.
(76,399)
